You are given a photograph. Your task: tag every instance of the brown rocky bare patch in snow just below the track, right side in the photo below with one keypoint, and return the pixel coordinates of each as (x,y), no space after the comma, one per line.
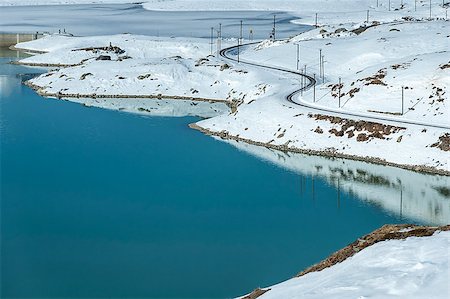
(363,130)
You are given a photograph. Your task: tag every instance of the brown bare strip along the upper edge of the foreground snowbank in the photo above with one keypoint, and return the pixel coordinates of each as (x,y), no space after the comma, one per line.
(386,232)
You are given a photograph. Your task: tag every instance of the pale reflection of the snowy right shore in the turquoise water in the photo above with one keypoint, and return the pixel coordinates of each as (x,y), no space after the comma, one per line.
(421,197)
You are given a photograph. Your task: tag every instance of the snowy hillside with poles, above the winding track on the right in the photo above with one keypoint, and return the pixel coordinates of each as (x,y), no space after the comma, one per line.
(373,66)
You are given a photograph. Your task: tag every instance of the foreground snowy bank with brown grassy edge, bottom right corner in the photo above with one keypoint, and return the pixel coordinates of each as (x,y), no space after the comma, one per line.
(334,277)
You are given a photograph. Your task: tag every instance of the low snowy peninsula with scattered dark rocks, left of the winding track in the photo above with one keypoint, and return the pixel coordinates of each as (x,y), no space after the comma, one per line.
(140,66)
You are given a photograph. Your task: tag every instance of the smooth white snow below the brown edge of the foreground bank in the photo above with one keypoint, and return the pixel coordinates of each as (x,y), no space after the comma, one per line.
(414,268)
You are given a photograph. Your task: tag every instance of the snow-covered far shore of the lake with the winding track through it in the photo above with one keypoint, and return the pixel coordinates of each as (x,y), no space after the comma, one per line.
(183,67)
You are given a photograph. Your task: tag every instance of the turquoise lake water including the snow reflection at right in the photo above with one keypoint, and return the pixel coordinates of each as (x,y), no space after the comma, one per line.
(106,204)
